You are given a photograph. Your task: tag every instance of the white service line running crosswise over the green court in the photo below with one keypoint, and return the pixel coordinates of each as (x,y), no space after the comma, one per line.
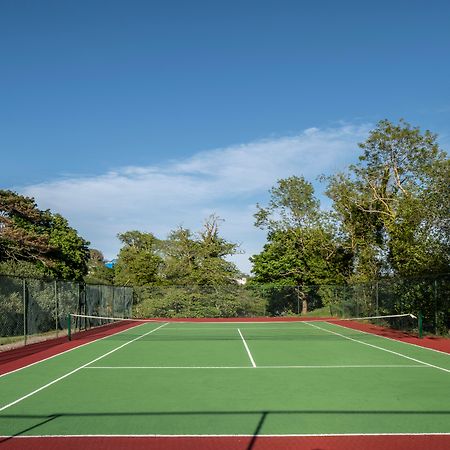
(352,366)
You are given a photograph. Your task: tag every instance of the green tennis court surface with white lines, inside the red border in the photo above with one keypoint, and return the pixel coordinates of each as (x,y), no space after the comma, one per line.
(230,379)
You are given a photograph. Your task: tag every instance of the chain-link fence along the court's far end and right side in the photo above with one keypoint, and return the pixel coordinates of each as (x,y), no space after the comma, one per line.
(426,296)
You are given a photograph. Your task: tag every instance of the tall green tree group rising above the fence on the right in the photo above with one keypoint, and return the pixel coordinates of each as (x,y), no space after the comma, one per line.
(390,216)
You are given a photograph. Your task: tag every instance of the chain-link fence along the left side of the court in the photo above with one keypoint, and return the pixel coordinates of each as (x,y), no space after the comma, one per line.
(32,310)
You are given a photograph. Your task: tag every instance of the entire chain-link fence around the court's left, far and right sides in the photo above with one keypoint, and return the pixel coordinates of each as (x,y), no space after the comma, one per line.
(32,310)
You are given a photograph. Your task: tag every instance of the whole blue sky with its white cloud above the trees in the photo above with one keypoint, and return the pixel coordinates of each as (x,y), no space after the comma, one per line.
(152,114)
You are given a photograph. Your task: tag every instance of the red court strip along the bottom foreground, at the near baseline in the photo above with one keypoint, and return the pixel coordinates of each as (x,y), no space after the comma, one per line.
(399,441)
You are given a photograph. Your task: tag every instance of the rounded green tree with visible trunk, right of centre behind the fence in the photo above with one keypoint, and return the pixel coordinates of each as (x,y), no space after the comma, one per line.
(303,248)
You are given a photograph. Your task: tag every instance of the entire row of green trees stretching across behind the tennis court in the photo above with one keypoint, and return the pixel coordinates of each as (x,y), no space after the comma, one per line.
(389,217)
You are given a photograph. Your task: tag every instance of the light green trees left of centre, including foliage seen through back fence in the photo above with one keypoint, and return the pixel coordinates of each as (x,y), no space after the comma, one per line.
(193,277)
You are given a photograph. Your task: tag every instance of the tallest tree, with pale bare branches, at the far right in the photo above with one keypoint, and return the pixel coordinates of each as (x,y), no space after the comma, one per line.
(393,204)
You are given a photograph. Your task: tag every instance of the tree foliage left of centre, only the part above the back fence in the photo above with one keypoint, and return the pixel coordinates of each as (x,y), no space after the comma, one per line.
(183,259)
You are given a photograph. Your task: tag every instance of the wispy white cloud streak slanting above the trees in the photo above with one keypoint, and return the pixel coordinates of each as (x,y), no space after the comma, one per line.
(226,181)
